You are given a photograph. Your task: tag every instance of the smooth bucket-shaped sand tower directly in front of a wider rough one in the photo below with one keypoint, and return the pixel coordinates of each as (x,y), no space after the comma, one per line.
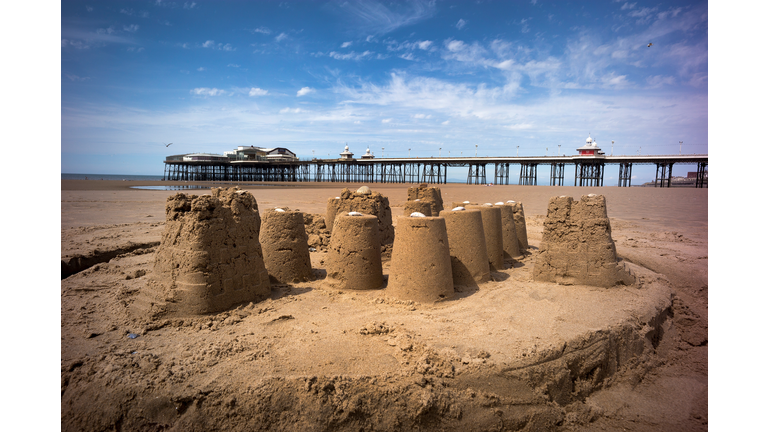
(354,255)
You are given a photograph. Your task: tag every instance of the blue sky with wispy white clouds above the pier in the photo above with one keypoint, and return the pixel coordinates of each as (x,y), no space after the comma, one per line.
(436,77)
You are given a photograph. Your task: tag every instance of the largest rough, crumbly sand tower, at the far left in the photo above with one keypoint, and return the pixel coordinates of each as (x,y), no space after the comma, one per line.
(209,258)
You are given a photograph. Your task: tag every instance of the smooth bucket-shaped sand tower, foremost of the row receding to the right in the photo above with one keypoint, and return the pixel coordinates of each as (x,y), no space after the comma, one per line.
(420,269)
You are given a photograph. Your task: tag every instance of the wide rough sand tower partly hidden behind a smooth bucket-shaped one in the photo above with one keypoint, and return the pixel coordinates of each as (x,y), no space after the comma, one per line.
(364,201)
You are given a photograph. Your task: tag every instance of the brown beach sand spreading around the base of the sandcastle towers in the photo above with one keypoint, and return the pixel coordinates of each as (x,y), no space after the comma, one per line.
(511,355)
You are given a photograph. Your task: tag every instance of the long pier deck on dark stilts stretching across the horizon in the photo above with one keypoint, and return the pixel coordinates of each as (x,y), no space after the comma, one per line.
(589,170)
